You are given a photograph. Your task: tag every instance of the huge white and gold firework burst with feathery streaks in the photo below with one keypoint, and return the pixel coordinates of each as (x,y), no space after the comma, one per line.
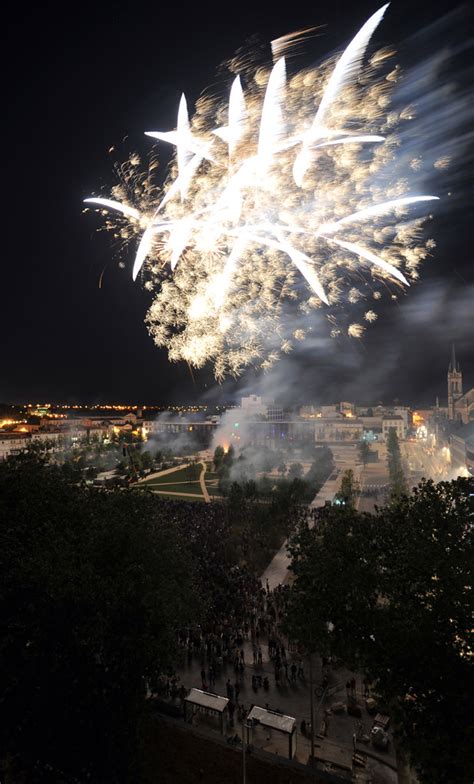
(281,201)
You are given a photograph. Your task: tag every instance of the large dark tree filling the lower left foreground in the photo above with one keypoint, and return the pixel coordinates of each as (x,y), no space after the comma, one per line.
(93,587)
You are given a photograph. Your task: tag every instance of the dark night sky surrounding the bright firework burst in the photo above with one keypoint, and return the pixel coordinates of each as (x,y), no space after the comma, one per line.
(78,78)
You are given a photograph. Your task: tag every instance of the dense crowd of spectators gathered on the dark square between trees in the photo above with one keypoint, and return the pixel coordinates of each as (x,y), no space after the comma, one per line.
(242,627)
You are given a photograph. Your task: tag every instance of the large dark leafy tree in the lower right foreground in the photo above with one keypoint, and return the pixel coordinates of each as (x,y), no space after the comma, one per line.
(405,619)
